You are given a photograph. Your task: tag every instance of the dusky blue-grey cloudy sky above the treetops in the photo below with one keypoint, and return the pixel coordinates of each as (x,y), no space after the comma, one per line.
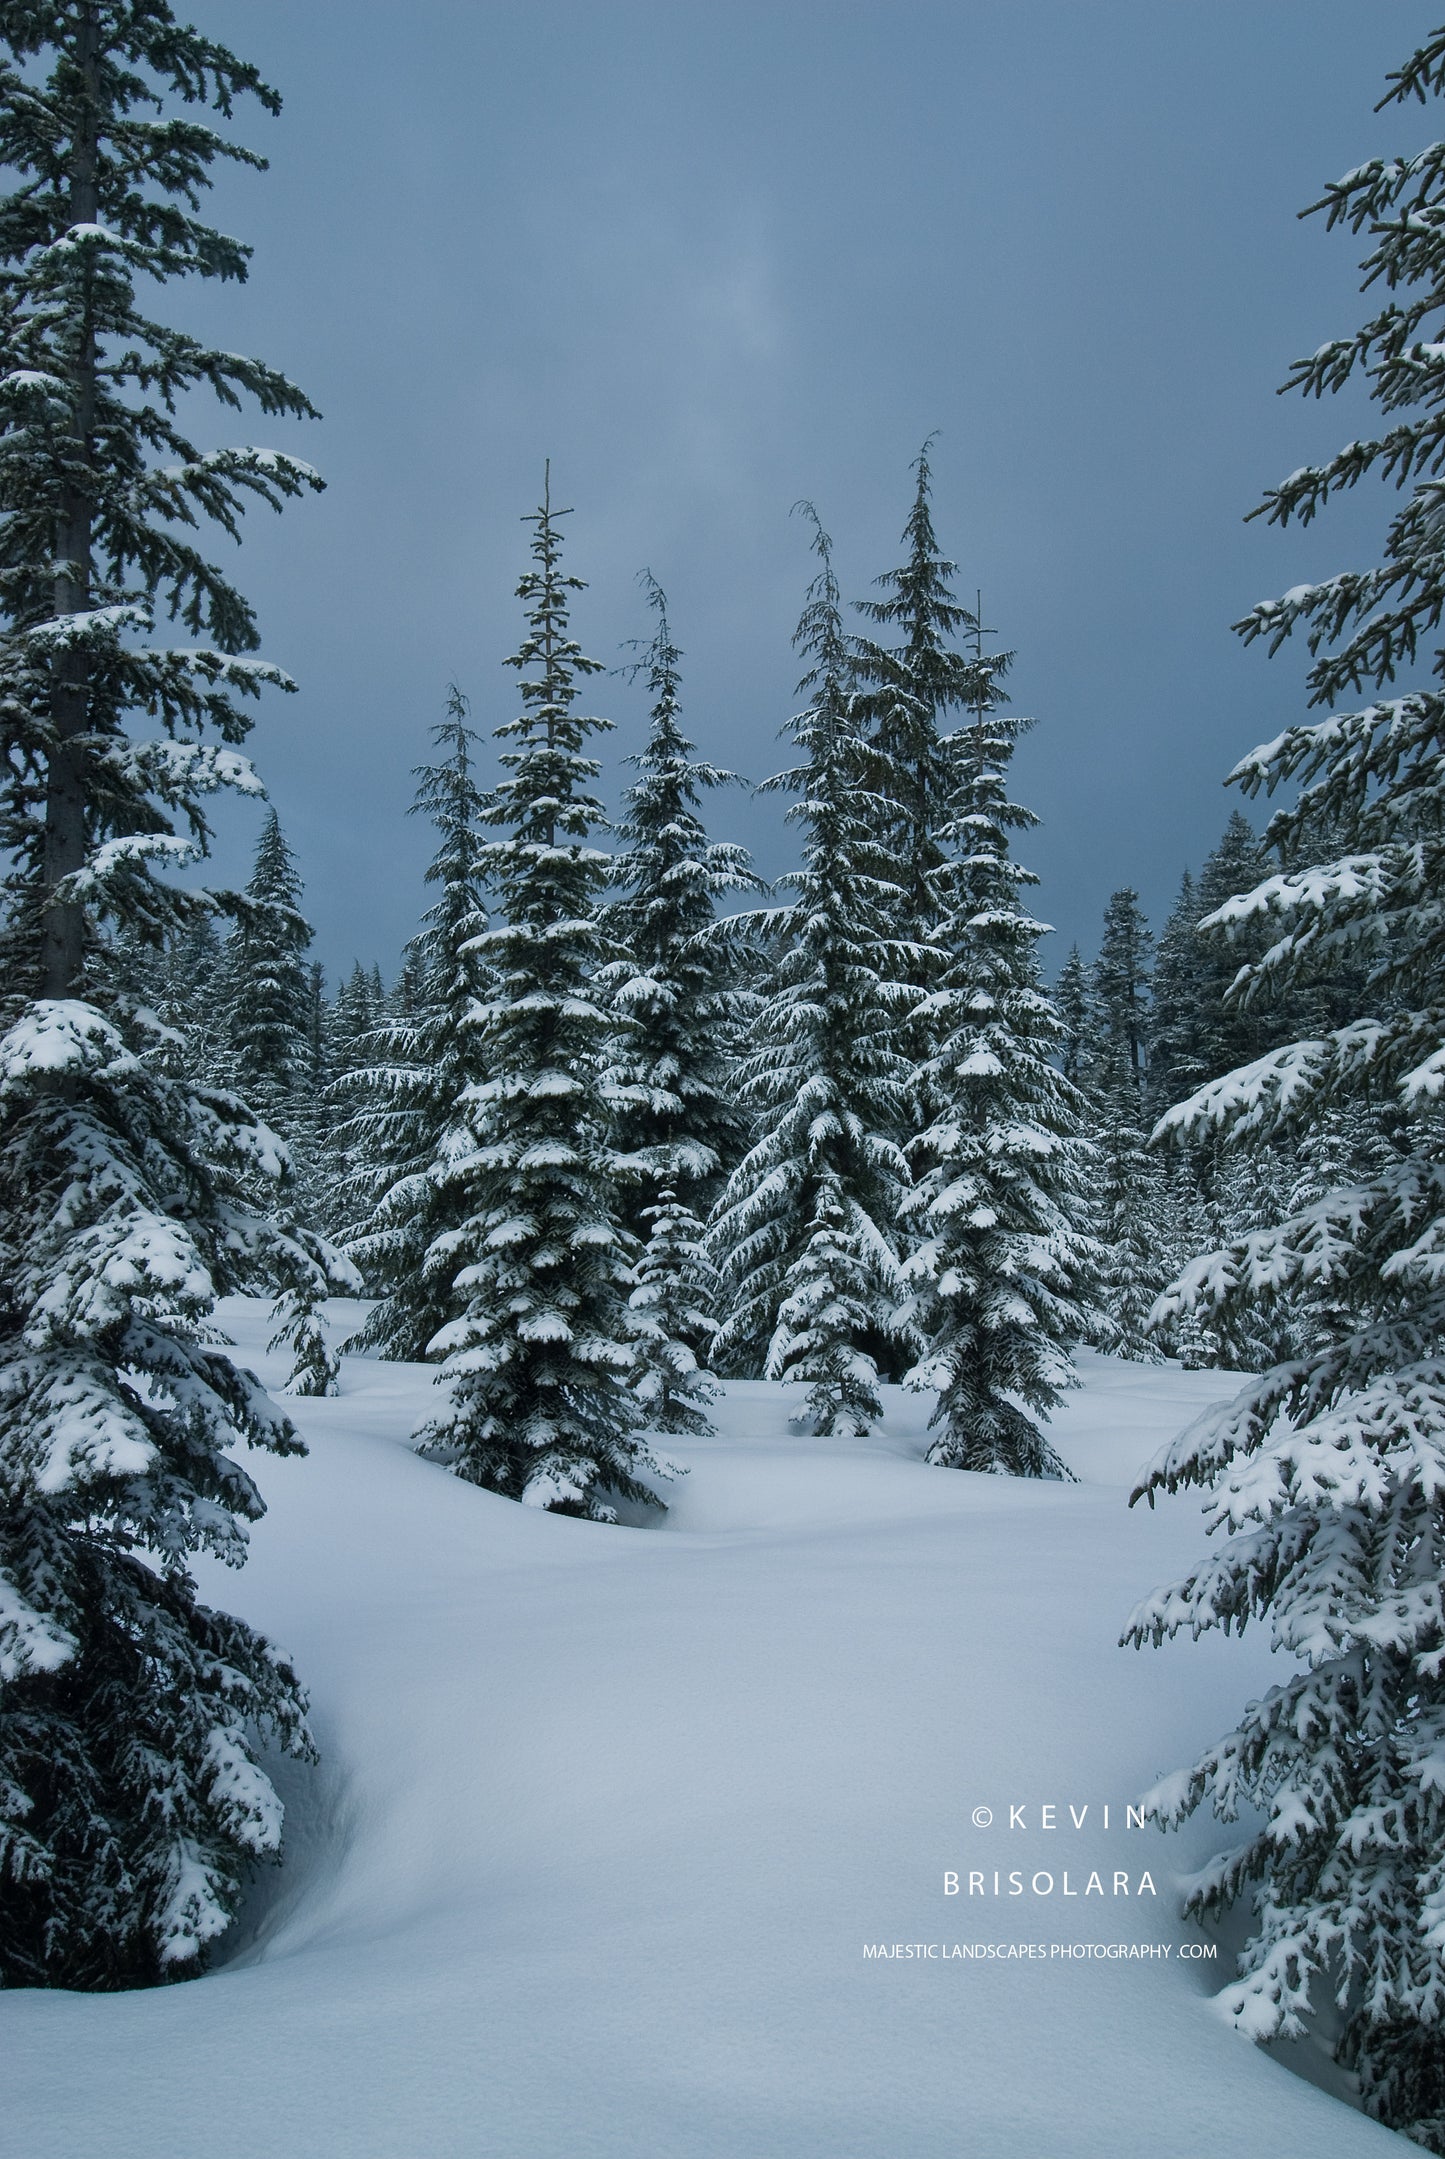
(712,260)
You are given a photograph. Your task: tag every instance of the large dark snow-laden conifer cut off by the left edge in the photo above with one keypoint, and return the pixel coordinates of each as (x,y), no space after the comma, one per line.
(131,1791)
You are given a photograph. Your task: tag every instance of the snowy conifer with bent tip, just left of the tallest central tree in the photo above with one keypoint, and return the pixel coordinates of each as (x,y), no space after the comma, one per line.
(805,1234)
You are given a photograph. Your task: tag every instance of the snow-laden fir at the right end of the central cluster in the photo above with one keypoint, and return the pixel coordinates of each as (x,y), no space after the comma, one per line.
(1001,1258)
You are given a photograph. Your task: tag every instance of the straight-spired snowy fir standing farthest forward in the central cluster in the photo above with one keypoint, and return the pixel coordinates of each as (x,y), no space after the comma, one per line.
(541,1355)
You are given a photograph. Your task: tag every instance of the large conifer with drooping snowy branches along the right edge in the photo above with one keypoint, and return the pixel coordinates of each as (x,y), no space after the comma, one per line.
(1329,1471)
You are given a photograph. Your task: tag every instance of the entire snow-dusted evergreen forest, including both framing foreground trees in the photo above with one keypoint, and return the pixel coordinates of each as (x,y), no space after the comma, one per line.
(632,1128)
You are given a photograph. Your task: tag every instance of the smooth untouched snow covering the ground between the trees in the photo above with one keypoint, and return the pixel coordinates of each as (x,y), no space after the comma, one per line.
(608,1817)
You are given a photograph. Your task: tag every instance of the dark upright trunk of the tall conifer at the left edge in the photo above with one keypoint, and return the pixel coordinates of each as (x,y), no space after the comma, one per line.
(70,690)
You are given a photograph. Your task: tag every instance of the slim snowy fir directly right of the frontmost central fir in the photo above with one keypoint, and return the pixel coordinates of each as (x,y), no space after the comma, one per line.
(677,1117)
